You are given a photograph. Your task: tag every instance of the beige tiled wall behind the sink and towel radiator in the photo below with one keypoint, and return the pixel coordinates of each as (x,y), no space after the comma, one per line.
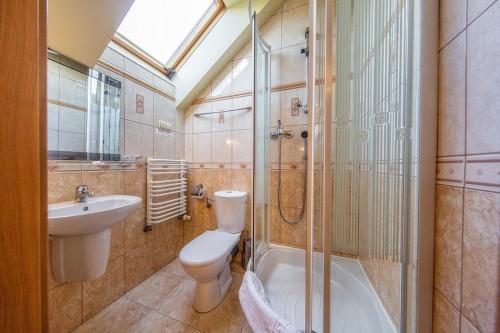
(134,255)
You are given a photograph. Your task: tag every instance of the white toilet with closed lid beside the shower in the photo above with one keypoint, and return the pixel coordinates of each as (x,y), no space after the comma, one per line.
(206,258)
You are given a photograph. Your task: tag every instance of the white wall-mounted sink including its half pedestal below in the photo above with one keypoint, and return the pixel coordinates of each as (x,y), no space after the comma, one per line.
(81,234)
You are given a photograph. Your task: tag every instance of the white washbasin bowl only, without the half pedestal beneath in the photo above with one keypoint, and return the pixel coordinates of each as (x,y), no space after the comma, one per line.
(93,215)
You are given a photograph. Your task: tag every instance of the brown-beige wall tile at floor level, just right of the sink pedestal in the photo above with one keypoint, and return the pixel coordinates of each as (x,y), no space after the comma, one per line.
(100,292)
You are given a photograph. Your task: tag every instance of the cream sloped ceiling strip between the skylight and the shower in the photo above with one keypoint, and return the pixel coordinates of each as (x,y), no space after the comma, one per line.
(218,47)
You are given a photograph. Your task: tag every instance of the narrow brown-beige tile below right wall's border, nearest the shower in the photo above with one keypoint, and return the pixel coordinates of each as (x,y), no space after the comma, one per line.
(448,242)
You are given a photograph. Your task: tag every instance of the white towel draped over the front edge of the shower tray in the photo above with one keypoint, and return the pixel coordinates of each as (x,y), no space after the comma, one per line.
(257,308)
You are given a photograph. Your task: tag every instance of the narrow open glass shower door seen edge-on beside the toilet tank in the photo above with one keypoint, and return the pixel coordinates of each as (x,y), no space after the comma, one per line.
(261,110)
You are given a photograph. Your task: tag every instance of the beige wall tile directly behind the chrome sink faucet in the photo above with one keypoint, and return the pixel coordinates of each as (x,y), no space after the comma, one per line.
(61,186)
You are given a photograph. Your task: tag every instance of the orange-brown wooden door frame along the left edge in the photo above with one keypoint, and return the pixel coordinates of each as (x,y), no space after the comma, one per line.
(23,157)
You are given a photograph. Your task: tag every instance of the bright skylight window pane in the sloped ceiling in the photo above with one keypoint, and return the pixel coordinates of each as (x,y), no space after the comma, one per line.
(163,28)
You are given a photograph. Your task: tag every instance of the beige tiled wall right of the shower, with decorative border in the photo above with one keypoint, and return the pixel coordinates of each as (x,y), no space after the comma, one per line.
(467,243)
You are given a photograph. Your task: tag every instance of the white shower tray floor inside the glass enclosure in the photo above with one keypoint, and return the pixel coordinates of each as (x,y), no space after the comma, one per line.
(355,308)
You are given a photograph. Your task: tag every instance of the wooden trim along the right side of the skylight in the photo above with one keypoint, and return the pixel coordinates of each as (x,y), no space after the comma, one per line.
(180,58)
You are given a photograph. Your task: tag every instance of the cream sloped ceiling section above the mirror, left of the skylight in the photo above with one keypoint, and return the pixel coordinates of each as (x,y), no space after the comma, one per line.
(81,29)
